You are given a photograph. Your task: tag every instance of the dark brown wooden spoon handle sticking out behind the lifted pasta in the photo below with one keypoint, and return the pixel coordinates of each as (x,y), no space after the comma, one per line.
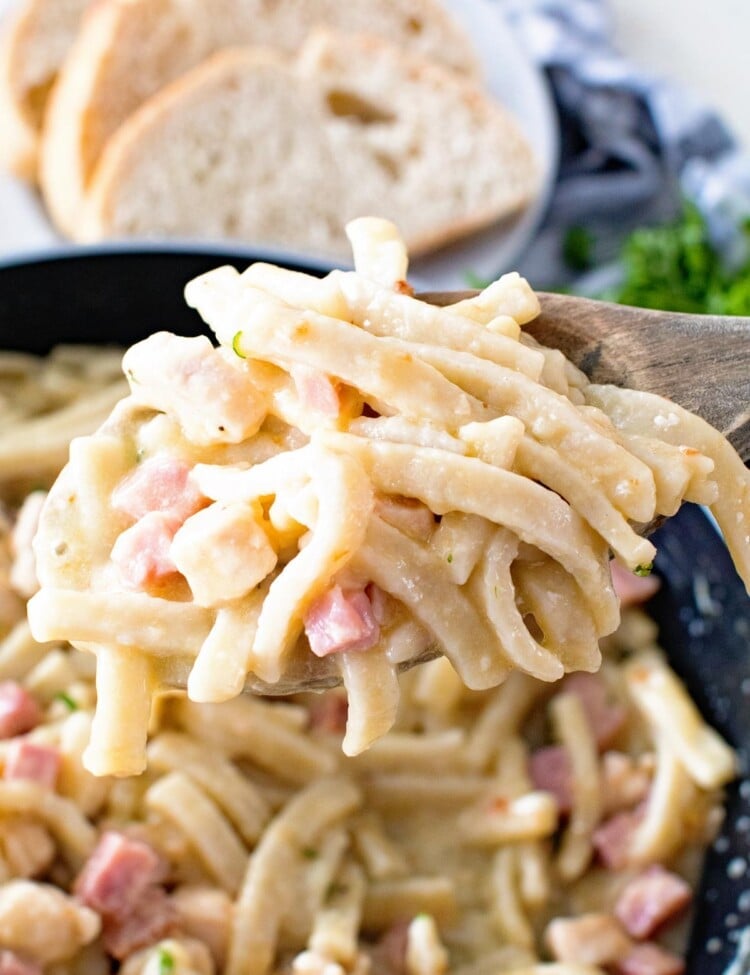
(701,362)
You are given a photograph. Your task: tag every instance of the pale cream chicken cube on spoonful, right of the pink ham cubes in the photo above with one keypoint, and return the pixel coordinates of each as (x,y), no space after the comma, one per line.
(223,552)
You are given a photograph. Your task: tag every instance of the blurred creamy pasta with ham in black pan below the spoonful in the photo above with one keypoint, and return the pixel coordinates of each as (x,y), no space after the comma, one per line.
(535,828)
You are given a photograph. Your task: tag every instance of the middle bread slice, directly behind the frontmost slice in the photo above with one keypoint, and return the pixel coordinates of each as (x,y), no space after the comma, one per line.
(129,49)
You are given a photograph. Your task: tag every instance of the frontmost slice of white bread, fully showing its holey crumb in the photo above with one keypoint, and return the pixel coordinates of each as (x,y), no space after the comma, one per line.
(285,152)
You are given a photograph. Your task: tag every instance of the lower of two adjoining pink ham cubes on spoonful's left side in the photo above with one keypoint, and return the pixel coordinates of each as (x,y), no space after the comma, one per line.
(142,552)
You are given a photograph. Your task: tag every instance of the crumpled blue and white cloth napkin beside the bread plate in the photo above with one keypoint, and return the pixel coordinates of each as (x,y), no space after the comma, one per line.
(633,143)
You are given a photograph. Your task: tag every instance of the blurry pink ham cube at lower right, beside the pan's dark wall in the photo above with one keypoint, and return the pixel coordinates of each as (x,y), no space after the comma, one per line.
(650,900)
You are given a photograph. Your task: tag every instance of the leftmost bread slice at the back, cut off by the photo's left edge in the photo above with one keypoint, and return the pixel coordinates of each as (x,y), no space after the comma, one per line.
(33,46)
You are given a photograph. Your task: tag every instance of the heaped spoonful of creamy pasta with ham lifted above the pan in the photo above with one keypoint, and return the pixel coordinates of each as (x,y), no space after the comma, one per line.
(357,479)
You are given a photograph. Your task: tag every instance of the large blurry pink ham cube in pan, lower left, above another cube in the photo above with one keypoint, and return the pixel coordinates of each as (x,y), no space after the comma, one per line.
(117,875)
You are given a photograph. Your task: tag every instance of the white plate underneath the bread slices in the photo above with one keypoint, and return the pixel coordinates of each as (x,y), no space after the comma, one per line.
(510,76)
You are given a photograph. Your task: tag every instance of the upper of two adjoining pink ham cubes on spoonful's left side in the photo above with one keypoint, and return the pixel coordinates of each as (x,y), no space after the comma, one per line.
(159,484)
